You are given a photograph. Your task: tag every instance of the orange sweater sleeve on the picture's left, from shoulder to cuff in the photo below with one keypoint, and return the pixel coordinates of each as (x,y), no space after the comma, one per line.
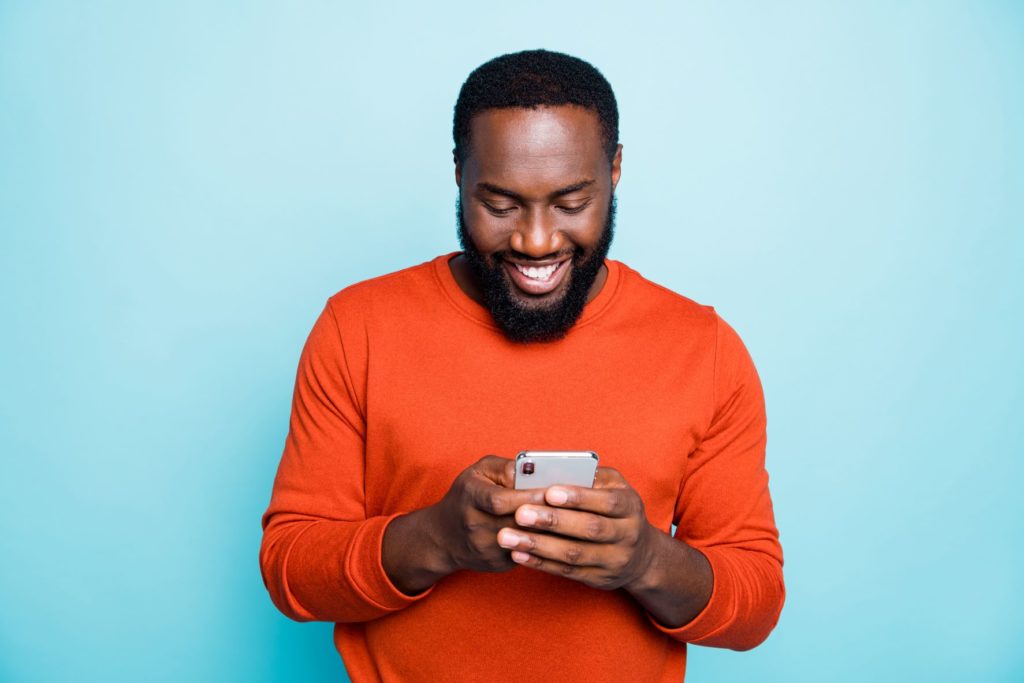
(321,556)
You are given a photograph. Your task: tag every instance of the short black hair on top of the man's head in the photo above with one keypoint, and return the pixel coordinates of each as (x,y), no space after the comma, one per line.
(531,79)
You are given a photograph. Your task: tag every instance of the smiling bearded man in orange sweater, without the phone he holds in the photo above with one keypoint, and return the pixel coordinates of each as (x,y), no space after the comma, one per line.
(388,517)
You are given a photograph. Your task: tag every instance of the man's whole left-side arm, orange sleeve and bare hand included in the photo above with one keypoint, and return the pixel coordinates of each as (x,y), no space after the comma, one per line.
(322,558)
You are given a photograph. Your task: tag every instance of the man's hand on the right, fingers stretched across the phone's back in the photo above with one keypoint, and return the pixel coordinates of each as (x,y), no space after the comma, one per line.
(600,537)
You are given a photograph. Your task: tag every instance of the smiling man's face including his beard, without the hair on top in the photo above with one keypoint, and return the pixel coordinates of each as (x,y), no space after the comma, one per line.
(536,212)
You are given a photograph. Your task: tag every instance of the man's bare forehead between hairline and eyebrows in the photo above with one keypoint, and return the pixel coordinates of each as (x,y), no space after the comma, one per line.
(521,145)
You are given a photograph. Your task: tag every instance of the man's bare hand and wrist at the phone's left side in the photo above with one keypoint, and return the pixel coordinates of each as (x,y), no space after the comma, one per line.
(460,532)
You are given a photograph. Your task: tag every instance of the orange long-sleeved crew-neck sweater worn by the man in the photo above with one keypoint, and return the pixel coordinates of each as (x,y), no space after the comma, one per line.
(405,381)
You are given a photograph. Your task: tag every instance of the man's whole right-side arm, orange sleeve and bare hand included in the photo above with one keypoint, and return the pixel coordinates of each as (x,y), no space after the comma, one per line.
(719,582)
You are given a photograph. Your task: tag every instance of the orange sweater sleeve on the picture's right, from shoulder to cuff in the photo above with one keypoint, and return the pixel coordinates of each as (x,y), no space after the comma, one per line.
(724,510)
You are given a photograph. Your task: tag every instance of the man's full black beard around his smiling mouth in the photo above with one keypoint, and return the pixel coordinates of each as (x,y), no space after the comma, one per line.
(525,324)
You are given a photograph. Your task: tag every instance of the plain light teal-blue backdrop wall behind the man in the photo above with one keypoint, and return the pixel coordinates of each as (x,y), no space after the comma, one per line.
(184,185)
